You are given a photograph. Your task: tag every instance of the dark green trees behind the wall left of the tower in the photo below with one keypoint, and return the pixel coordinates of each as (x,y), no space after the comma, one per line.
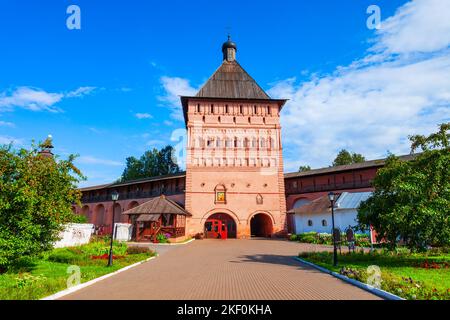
(151,164)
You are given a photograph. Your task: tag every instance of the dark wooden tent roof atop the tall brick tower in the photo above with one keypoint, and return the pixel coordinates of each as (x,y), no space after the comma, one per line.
(231,81)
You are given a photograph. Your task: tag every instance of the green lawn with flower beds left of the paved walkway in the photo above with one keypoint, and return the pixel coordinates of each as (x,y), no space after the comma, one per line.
(40,277)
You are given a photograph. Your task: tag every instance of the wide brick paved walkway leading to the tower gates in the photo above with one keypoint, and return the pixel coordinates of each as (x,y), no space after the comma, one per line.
(231,269)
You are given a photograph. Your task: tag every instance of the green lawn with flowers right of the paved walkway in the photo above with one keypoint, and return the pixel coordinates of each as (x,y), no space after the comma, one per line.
(409,275)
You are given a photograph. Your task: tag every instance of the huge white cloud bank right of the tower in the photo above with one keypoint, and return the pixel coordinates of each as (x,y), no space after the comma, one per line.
(401,87)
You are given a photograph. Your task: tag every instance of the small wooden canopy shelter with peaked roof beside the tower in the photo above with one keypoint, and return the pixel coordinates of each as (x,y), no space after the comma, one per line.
(158,216)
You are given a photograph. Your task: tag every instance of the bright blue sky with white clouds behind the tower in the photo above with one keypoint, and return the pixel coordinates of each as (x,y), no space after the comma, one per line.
(110,90)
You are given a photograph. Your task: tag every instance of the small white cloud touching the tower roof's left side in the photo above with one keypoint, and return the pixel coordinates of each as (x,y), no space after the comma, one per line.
(174,88)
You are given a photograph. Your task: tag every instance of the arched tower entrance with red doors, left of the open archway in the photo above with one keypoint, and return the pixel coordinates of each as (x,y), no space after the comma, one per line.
(220,226)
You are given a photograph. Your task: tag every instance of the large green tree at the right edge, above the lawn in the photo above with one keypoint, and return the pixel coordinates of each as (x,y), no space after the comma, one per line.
(412,198)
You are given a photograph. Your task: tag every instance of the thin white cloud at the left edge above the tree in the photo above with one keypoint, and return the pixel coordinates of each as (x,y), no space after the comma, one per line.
(36,99)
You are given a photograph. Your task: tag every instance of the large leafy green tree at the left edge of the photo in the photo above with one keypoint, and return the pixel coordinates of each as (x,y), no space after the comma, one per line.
(36,197)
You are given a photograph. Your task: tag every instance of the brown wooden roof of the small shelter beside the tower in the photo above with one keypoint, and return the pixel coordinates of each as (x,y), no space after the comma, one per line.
(159,205)
